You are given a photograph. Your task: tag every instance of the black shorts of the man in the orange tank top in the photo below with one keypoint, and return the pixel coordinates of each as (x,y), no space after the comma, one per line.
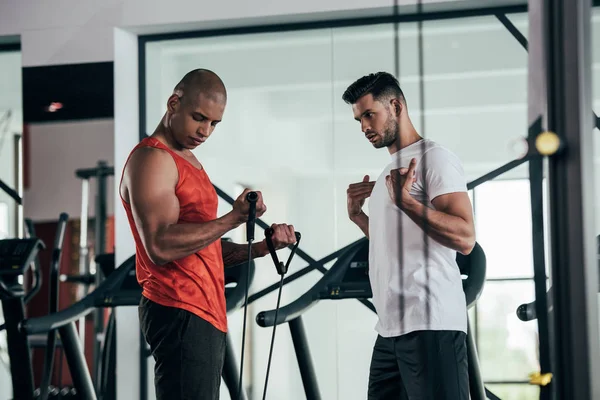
(189,352)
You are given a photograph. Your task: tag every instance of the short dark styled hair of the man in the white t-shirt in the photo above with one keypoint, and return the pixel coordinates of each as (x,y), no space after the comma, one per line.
(380,85)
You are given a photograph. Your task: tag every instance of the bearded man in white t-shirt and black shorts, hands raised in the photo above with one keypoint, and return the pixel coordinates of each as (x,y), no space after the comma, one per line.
(419,217)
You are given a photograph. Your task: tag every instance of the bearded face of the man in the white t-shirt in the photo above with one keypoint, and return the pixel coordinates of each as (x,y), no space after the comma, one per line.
(376,121)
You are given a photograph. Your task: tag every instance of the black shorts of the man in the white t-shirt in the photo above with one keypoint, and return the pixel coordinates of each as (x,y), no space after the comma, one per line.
(422,365)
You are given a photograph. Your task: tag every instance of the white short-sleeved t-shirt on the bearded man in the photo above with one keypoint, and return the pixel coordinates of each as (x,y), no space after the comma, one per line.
(425,291)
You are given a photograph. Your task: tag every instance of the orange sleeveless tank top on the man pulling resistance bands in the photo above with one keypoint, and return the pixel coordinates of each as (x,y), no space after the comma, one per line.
(194,283)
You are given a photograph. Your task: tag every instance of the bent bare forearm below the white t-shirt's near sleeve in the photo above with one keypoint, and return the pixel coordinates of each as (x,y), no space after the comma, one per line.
(451,223)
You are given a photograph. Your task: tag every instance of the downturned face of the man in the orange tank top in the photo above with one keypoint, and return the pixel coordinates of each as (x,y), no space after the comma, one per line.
(193,120)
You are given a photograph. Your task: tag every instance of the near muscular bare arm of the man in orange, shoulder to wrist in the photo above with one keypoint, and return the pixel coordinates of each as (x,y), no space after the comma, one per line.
(150,180)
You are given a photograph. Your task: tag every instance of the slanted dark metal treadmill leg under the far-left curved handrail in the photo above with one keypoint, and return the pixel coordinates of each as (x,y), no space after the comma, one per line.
(82,379)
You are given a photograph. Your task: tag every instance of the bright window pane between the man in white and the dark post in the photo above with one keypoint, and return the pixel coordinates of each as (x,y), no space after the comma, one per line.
(507,346)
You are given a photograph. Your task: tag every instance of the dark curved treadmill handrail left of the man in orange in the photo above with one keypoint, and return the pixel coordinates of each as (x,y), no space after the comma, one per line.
(81,308)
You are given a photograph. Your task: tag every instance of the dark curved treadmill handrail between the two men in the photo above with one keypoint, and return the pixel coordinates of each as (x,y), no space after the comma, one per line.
(311,297)
